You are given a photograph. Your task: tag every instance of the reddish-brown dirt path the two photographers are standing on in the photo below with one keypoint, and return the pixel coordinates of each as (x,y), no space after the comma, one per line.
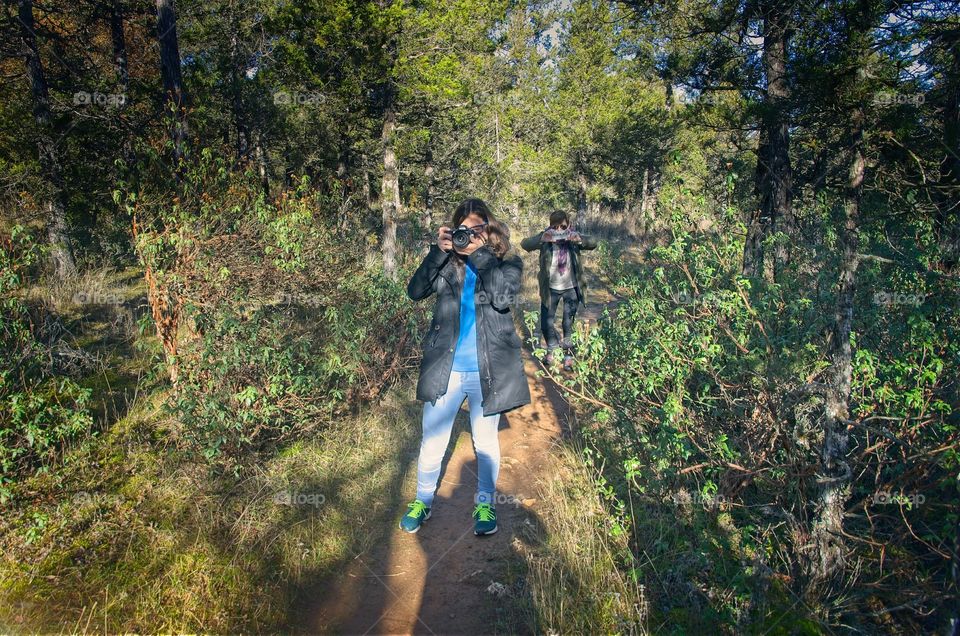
(443,579)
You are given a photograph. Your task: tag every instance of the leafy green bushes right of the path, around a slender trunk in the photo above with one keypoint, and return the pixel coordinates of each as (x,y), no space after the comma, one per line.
(698,416)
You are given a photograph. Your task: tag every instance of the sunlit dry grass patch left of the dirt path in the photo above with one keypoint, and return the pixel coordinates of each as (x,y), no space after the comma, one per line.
(144,540)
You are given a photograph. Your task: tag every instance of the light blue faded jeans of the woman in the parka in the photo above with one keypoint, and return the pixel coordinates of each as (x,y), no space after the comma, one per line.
(437,425)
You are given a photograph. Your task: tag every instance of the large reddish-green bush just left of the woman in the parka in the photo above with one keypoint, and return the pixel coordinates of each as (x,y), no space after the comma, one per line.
(281,324)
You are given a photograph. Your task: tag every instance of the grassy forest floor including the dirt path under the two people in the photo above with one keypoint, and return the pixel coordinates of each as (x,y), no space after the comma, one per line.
(131,536)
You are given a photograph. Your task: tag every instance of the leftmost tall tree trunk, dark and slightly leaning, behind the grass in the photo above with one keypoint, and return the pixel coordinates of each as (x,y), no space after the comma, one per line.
(61,252)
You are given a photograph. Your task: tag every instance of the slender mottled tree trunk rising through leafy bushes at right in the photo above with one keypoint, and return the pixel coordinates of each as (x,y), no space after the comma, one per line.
(835,484)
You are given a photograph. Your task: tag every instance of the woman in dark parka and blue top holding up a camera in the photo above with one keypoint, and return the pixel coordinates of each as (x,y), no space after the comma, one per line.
(471,351)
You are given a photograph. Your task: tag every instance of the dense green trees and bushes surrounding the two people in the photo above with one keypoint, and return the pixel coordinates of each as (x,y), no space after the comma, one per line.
(776,188)
